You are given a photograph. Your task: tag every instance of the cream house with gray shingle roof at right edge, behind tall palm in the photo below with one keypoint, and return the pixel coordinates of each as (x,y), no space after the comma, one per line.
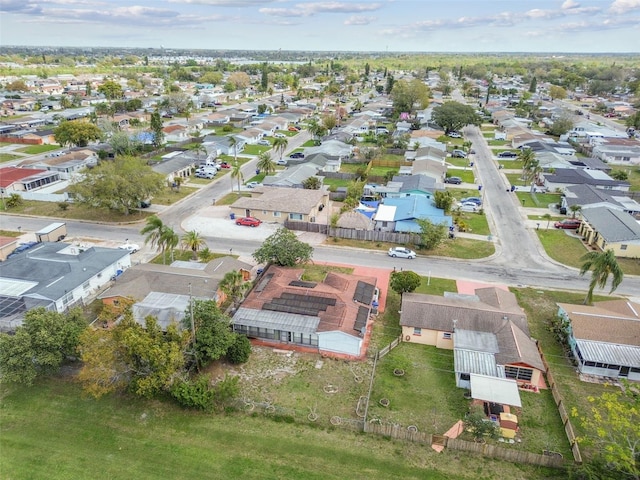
(607,228)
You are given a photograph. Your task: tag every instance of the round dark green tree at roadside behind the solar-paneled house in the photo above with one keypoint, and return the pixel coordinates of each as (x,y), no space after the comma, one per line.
(283,248)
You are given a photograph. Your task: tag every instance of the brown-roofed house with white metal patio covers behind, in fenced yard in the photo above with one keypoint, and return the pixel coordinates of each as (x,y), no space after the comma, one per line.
(488,333)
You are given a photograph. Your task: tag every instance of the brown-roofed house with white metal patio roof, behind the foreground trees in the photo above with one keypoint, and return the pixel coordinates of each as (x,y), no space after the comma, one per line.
(164,291)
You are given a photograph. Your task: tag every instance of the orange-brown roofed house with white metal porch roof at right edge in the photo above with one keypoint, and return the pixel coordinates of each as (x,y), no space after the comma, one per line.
(604,338)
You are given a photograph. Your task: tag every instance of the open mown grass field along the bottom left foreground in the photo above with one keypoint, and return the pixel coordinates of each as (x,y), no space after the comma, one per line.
(52,431)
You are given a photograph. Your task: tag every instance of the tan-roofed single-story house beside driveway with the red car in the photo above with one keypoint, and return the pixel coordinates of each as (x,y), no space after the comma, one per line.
(275,204)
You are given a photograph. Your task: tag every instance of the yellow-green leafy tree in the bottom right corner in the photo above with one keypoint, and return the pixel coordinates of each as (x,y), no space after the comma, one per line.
(613,423)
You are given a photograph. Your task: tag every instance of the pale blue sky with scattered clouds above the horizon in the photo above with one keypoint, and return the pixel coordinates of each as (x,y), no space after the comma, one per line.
(384,25)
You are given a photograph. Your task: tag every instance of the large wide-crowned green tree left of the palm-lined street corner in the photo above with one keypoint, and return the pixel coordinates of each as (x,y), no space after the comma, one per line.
(120,184)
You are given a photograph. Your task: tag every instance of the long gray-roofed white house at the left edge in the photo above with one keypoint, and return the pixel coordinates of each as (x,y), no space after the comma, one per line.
(56,276)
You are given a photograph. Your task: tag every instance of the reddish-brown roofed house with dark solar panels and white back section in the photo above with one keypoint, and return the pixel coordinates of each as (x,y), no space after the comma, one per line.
(330,317)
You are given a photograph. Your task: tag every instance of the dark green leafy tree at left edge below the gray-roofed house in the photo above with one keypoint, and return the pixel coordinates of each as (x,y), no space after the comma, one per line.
(40,346)
